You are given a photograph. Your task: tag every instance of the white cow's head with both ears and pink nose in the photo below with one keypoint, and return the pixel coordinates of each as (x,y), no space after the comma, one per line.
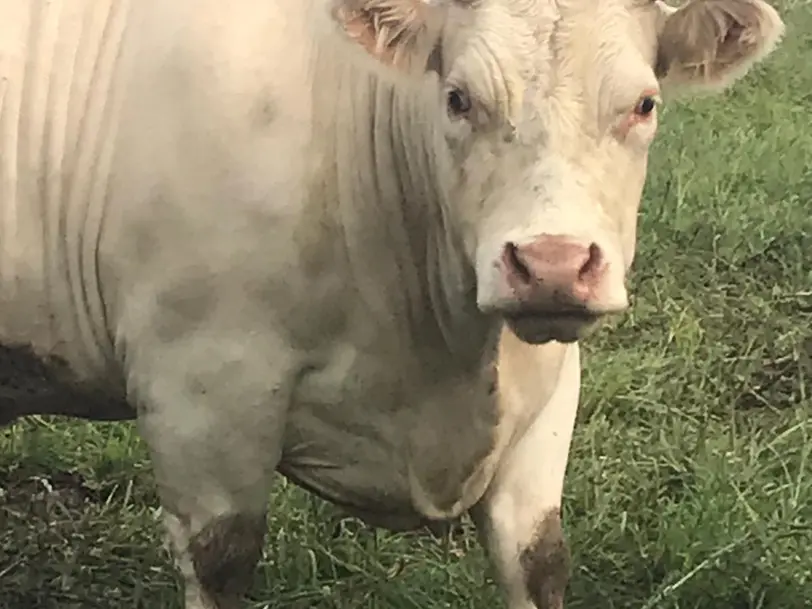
(549,108)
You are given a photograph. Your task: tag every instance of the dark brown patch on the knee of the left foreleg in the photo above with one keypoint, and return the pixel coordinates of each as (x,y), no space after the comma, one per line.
(225,554)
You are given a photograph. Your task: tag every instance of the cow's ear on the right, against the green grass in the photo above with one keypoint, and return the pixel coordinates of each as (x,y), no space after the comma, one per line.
(708,44)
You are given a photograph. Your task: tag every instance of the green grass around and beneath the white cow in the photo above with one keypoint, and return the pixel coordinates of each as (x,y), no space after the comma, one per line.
(690,481)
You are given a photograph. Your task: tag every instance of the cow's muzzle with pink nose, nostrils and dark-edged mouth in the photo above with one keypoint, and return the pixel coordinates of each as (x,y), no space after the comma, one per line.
(559,287)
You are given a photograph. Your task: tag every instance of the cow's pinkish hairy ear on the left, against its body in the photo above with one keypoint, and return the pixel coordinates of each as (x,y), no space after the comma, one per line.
(400,33)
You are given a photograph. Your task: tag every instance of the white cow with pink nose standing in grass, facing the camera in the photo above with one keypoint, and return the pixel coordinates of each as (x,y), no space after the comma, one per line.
(229,221)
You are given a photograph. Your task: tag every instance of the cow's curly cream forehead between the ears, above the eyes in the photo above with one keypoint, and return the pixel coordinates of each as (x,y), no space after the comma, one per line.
(598,53)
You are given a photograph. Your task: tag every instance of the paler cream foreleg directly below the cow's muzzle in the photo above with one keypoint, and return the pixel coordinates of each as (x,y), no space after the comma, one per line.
(519,518)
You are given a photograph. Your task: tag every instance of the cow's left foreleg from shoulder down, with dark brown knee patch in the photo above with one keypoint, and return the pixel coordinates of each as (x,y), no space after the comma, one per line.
(215,441)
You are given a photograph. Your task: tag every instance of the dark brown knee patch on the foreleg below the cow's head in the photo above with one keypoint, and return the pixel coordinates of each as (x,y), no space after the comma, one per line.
(546,564)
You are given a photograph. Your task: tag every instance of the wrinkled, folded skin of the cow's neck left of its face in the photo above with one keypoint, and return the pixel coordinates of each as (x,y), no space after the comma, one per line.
(394,173)
